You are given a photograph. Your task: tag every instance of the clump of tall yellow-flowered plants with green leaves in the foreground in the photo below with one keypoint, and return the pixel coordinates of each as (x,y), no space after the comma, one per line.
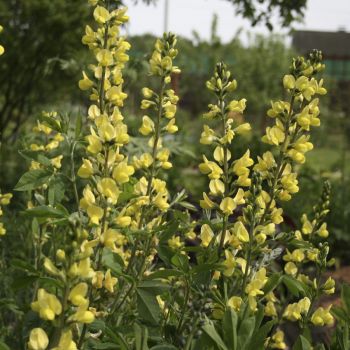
(120,263)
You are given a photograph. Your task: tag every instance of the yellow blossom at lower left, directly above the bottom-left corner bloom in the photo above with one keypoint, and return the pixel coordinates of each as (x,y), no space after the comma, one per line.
(47,305)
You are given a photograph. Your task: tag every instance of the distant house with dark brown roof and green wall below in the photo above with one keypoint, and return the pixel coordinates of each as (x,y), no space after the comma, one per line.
(335,47)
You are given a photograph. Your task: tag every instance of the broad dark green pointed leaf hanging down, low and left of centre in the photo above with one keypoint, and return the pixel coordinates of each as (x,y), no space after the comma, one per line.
(148,307)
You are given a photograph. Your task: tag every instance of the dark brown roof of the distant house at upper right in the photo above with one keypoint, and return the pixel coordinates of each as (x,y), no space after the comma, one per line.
(332,44)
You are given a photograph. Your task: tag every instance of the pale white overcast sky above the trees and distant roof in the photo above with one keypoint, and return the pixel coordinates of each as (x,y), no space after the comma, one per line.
(188,15)
